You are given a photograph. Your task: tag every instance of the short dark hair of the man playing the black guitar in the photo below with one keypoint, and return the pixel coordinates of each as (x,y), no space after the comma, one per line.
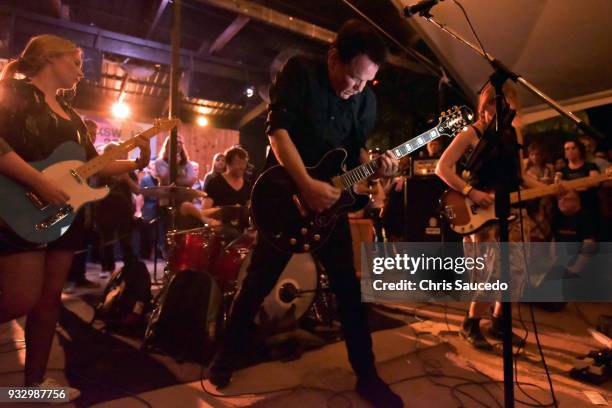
(355,38)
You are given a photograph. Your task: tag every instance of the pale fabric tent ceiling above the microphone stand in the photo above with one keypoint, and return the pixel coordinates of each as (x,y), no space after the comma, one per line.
(561,47)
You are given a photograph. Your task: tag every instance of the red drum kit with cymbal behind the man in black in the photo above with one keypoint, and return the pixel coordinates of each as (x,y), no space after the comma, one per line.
(222,252)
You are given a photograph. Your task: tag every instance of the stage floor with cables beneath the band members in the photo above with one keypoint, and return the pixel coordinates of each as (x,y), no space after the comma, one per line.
(416,345)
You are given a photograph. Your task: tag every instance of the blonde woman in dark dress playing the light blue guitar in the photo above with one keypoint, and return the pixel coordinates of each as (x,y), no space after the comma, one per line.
(34,121)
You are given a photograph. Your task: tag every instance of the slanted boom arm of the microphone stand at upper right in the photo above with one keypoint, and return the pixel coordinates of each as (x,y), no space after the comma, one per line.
(497,64)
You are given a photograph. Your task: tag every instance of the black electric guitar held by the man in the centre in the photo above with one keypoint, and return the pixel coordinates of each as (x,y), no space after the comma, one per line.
(283,218)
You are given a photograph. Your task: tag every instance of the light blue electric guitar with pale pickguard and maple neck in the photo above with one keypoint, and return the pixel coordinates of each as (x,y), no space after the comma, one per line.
(38,222)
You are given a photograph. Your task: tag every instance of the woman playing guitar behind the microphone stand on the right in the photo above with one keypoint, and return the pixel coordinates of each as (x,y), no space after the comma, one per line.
(476,187)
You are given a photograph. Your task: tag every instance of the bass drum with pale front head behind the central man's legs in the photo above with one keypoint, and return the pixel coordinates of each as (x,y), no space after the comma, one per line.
(297,286)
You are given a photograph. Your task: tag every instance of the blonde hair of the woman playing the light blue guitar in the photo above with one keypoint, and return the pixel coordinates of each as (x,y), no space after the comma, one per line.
(36,54)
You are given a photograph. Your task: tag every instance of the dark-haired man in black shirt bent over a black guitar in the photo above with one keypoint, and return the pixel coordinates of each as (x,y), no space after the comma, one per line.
(317,106)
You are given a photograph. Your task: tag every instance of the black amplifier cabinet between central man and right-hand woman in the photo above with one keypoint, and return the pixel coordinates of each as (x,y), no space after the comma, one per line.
(422,213)
